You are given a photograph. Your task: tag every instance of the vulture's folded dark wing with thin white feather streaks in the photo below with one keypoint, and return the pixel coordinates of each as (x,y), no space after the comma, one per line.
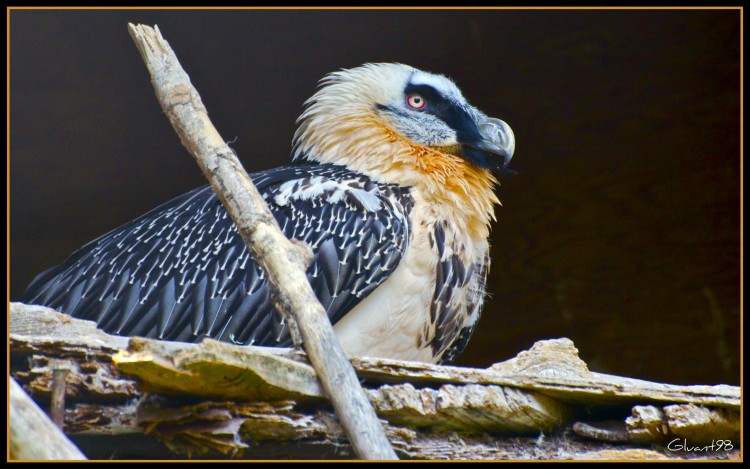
(181,271)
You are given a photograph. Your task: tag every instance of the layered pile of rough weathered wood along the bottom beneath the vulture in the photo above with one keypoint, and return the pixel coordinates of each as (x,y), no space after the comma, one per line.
(425,405)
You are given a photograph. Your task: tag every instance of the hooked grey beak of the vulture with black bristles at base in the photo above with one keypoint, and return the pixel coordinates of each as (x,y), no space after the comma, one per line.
(495,139)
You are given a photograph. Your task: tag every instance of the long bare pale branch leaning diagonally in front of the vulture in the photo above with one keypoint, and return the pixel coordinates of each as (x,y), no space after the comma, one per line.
(283,261)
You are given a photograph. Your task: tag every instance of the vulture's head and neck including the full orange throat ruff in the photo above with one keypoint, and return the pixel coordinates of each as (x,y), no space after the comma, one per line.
(404,126)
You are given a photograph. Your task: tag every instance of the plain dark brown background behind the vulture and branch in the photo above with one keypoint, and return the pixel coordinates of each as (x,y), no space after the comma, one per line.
(621,230)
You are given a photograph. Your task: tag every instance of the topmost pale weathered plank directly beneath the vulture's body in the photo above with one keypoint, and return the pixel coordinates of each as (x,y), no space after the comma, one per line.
(551,368)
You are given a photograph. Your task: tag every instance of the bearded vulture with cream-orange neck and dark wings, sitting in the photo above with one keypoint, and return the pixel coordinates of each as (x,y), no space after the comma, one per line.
(392,185)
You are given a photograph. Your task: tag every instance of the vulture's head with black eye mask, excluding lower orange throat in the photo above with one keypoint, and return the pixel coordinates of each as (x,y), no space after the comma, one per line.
(384,110)
